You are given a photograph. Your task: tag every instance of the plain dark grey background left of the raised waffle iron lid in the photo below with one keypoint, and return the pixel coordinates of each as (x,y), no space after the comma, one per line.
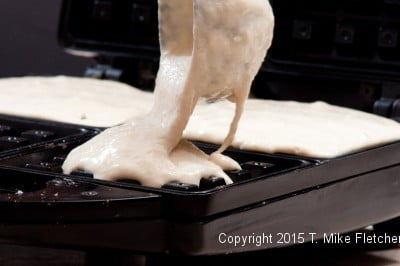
(28,40)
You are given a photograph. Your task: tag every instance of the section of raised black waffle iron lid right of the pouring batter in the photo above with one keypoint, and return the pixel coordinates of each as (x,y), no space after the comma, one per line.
(341,34)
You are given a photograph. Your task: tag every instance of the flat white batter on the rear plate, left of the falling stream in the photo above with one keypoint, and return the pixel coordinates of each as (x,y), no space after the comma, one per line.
(73,100)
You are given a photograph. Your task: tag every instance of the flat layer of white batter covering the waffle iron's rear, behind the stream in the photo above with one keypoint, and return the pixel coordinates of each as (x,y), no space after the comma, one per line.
(310,129)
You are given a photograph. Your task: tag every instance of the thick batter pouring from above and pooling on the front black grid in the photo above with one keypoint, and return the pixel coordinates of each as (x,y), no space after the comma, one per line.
(209,48)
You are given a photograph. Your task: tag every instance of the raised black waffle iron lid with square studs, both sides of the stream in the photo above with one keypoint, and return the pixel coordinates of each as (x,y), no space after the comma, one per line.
(336,34)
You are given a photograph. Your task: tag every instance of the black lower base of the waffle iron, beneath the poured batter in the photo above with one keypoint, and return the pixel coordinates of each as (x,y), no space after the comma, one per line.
(309,195)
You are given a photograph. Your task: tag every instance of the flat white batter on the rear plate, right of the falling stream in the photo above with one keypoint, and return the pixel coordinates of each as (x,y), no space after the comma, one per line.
(315,129)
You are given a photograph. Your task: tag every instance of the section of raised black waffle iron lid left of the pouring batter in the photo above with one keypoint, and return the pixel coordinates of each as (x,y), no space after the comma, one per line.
(119,28)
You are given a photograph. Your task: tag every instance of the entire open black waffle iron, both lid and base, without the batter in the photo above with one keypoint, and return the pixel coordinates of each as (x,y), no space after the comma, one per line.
(346,52)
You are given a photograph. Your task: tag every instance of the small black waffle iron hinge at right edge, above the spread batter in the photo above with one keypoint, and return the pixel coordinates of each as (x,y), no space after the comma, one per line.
(389,103)
